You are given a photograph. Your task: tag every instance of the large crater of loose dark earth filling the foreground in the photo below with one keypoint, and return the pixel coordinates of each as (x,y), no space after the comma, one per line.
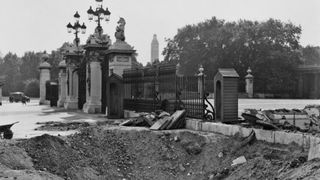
(98,153)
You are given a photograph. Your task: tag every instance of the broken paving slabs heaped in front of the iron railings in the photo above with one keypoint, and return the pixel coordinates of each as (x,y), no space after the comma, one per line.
(158,121)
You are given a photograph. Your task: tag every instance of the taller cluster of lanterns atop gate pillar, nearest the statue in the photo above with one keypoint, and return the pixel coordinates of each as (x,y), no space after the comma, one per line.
(98,15)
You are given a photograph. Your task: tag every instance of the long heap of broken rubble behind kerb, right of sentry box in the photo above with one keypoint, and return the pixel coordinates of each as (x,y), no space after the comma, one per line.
(305,120)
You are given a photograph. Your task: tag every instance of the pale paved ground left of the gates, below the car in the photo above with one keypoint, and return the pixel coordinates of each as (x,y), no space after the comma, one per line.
(28,115)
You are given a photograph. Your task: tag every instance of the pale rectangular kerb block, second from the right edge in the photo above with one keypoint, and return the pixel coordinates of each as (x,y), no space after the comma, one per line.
(287,138)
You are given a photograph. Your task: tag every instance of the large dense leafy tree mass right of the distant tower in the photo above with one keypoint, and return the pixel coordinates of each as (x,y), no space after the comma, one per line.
(270,48)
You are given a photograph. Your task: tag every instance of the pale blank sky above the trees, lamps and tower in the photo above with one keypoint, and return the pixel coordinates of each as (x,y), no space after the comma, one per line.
(37,25)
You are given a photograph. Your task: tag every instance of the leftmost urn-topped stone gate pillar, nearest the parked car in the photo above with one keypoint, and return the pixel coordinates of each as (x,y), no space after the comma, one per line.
(44,77)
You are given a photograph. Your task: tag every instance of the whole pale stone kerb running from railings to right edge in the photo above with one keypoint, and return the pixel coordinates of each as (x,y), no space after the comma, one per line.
(306,141)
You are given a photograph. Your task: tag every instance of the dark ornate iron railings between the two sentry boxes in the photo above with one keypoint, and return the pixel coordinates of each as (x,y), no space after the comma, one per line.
(159,87)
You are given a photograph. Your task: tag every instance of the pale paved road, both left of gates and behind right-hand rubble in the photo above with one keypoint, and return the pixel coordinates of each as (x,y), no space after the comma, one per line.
(28,115)
